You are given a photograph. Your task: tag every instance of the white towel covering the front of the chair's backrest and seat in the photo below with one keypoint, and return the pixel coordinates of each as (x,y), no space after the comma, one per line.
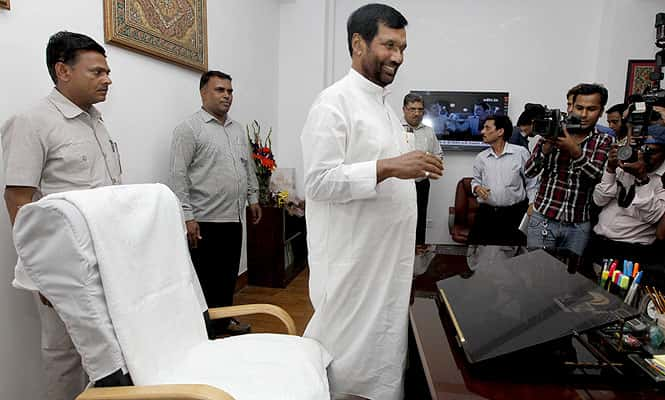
(155,304)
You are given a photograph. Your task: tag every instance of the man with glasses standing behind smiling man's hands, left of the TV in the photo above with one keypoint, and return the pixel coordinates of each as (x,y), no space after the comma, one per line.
(425,140)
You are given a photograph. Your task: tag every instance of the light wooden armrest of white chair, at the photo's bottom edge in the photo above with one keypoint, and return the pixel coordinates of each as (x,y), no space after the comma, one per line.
(156,392)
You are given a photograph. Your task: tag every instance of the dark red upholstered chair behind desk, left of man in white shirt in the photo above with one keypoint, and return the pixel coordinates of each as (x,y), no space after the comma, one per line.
(463,214)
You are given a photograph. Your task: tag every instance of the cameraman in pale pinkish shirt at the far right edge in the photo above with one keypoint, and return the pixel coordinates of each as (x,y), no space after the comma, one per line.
(633,201)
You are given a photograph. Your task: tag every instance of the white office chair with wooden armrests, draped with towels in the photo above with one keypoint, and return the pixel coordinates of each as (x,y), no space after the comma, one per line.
(115,265)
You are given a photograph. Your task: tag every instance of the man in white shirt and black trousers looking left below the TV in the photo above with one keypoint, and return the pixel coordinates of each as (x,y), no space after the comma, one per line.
(503,190)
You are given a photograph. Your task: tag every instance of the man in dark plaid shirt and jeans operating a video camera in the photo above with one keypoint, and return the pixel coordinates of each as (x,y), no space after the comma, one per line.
(571,165)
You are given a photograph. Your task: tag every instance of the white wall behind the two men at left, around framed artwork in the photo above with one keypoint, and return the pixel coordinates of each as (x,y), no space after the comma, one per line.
(147,99)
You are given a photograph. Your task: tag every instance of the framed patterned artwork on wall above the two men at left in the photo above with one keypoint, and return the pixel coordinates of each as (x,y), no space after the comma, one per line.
(173,30)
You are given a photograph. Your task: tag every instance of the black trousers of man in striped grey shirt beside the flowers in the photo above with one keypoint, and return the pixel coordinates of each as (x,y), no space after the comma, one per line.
(217,261)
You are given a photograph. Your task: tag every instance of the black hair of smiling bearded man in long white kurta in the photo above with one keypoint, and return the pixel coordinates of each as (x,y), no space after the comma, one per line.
(366,19)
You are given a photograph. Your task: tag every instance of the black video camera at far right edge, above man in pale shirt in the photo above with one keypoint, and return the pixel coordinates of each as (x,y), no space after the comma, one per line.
(640,110)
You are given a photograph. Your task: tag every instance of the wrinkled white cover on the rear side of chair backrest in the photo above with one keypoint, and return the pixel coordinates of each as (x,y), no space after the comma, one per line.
(54,246)
